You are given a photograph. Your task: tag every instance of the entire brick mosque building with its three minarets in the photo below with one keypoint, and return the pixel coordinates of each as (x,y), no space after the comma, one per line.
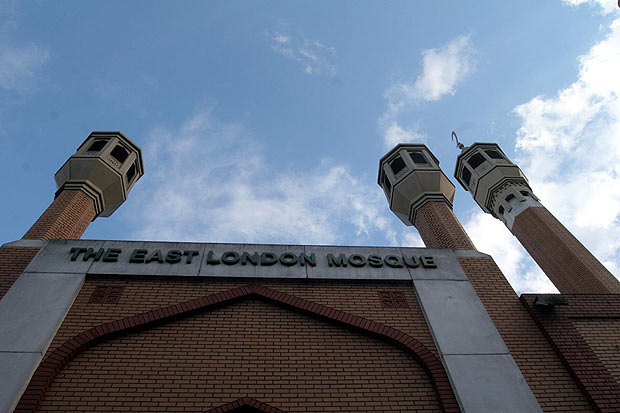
(105,325)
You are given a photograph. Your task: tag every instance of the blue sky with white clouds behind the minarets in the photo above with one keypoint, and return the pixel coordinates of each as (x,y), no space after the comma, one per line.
(265,121)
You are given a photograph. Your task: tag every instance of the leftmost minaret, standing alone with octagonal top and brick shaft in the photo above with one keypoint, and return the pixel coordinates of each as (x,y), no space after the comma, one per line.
(93,182)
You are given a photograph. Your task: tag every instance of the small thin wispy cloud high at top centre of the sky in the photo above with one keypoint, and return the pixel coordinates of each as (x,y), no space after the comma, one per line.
(315,57)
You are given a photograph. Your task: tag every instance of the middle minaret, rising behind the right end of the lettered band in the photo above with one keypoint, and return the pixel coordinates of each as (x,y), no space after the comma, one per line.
(420,194)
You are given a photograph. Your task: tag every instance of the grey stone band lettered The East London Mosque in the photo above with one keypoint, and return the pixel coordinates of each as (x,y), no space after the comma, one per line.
(120,258)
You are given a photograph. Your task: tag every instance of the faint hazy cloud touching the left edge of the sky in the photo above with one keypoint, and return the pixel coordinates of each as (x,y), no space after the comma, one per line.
(20,66)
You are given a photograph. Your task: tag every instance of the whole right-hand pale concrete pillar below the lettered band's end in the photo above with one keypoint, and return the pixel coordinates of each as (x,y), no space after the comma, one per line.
(483,374)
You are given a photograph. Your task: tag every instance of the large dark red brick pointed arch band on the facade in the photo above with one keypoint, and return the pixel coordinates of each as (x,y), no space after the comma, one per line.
(59,358)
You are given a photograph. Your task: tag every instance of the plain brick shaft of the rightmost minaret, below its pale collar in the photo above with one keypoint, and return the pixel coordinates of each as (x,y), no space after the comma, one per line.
(567,263)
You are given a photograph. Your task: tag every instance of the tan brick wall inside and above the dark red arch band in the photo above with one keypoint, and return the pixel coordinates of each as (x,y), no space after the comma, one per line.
(252,348)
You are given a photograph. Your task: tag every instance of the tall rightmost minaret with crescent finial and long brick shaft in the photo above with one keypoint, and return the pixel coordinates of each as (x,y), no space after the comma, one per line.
(502,190)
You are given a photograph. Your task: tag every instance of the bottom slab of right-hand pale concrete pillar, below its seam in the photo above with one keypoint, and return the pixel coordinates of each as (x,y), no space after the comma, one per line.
(490,383)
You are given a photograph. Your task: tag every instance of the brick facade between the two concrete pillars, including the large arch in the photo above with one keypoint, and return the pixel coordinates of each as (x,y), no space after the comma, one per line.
(250,341)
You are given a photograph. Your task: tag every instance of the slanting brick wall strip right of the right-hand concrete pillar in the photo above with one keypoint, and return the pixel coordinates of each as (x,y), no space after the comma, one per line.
(551,382)
